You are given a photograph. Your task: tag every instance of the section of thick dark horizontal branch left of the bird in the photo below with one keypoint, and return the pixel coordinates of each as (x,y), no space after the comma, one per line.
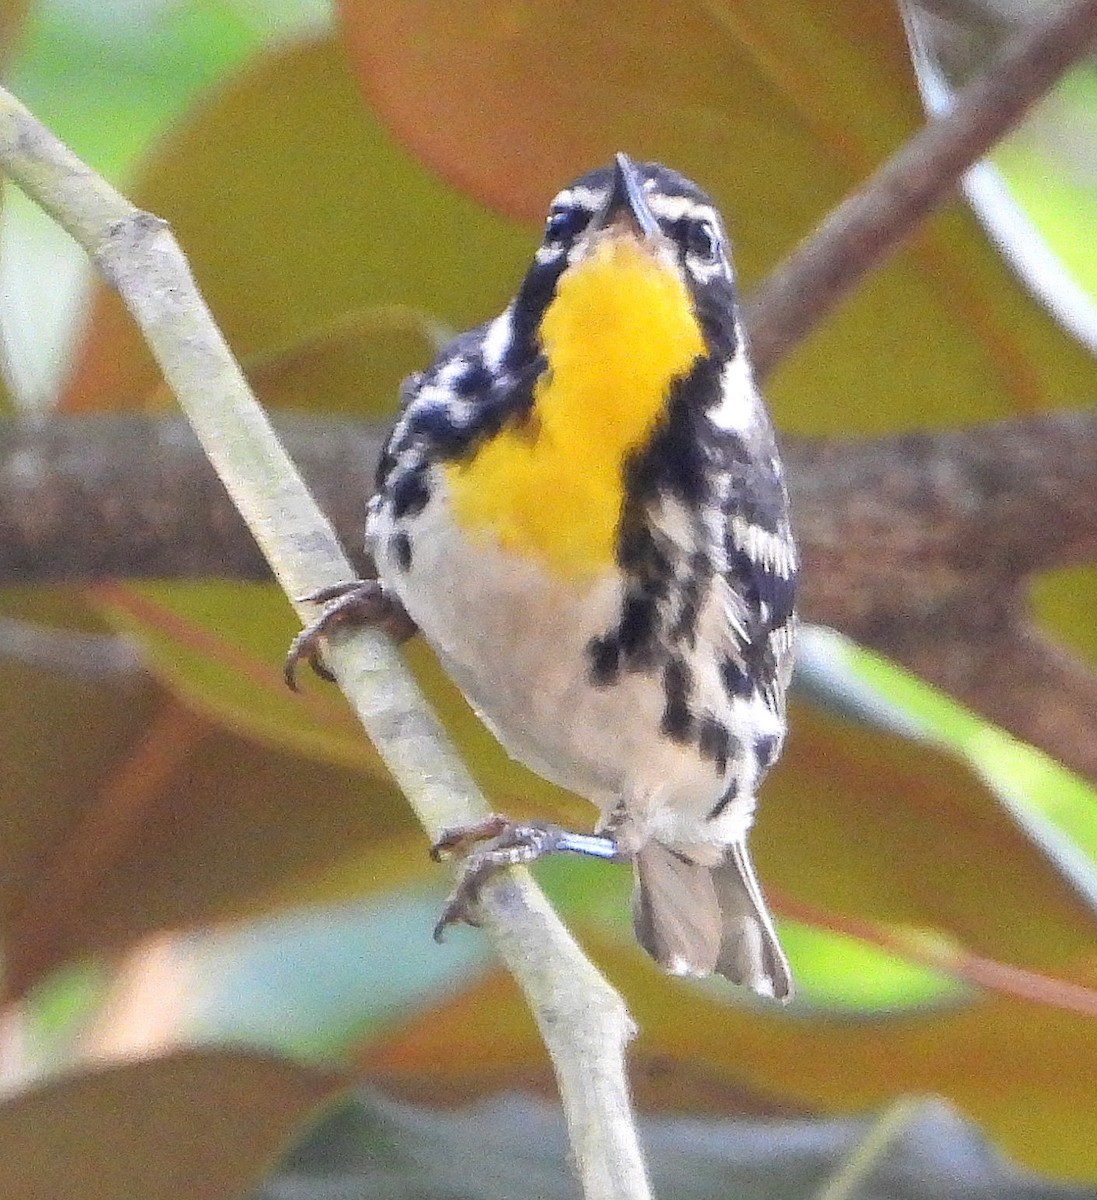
(130,497)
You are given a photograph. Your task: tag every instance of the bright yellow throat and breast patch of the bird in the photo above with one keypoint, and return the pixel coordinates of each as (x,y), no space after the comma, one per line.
(619,332)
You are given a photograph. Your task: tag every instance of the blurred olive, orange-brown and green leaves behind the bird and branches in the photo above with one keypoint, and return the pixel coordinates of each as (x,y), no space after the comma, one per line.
(215,909)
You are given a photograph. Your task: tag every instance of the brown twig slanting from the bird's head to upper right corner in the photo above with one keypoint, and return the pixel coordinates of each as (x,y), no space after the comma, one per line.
(873,221)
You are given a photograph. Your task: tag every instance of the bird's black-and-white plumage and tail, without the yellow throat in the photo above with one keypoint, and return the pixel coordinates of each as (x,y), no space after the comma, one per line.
(656,685)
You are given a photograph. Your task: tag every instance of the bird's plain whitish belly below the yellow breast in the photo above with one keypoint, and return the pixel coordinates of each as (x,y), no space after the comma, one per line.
(515,641)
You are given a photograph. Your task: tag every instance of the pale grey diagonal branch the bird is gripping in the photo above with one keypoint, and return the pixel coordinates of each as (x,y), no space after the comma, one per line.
(582,1018)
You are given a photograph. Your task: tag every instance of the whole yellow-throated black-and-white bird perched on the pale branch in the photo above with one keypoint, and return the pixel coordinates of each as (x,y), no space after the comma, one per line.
(583,508)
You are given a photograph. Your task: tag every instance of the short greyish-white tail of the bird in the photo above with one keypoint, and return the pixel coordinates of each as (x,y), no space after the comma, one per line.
(700,921)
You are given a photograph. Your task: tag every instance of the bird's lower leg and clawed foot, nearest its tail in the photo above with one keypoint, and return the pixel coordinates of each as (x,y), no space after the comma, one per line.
(506,844)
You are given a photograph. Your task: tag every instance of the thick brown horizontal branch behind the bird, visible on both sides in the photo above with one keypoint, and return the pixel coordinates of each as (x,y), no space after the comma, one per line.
(918,545)
